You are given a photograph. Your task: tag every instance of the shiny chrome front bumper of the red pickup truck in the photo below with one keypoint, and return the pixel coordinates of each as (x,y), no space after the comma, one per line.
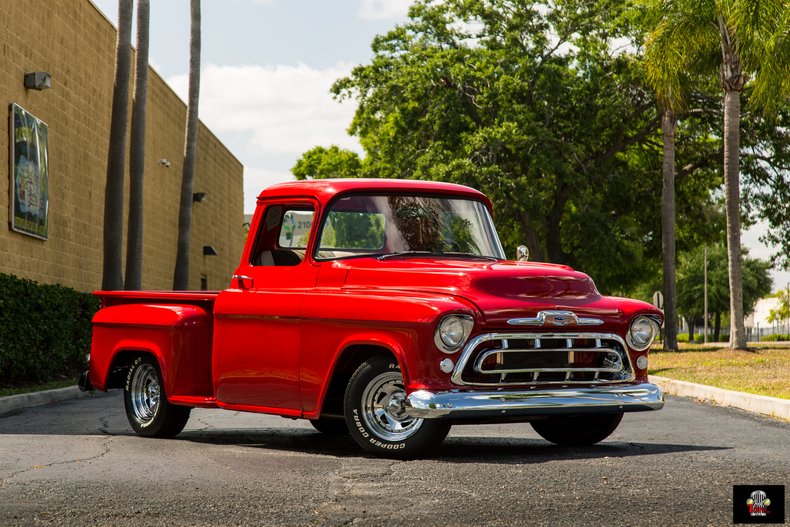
(525,403)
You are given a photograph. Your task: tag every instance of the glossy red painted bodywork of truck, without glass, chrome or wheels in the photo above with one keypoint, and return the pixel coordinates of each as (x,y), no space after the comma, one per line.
(275,339)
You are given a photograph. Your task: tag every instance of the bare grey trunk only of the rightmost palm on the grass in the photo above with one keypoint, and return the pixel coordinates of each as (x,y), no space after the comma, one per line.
(732,199)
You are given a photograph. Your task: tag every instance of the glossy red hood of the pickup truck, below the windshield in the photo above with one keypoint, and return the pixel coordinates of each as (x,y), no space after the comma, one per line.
(501,290)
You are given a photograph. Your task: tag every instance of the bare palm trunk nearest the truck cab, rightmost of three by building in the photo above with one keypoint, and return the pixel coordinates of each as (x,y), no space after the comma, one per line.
(181,273)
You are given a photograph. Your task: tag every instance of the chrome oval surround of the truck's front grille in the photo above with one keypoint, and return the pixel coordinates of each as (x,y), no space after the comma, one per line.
(472,345)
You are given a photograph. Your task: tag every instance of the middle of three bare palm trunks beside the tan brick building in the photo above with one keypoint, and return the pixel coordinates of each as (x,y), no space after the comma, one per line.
(134,235)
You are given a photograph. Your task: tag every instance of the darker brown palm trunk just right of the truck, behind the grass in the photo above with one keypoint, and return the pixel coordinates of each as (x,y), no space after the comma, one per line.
(668,125)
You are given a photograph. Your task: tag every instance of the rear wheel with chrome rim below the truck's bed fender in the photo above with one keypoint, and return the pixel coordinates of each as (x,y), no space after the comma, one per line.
(147,408)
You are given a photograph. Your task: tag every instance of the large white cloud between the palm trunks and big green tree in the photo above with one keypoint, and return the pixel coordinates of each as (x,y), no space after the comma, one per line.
(279,110)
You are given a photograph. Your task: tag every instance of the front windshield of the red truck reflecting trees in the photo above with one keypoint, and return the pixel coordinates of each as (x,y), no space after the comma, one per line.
(392,225)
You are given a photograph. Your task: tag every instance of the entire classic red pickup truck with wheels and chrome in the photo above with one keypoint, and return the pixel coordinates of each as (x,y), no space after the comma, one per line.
(385,309)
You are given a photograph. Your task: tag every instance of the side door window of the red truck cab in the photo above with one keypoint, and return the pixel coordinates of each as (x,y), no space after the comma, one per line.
(283,236)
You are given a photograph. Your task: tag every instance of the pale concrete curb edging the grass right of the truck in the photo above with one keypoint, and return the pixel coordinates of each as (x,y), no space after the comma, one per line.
(760,404)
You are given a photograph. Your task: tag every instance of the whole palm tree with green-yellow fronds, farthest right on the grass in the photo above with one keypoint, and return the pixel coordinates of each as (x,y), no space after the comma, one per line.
(742,39)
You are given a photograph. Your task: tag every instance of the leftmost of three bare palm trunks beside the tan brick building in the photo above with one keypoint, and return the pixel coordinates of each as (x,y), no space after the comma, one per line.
(112,275)
